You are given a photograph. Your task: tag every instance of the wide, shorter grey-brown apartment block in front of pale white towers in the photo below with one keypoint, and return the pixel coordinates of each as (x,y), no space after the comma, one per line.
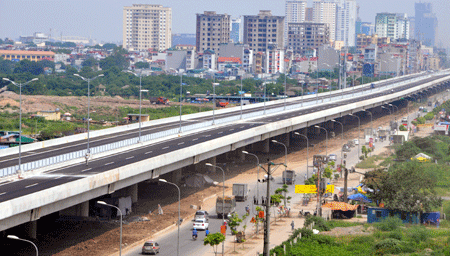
(305,36)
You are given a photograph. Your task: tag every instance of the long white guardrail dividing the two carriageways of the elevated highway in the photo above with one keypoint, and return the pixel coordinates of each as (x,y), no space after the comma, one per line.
(128,142)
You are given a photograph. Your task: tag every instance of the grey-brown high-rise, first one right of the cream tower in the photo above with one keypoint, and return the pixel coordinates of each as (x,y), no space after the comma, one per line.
(212,30)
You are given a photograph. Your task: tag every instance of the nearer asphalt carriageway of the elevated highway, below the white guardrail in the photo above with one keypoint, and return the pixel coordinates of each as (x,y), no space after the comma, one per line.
(11,190)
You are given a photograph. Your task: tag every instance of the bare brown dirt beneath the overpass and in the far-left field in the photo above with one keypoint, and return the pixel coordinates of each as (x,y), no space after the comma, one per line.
(99,237)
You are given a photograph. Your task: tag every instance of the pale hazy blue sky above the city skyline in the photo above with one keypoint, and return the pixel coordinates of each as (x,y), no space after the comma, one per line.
(102,19)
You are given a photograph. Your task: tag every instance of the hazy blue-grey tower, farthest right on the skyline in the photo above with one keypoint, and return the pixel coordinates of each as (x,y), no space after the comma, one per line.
(425,24)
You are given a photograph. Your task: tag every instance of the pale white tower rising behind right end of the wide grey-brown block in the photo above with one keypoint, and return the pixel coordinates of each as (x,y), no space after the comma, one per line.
(325,12)
